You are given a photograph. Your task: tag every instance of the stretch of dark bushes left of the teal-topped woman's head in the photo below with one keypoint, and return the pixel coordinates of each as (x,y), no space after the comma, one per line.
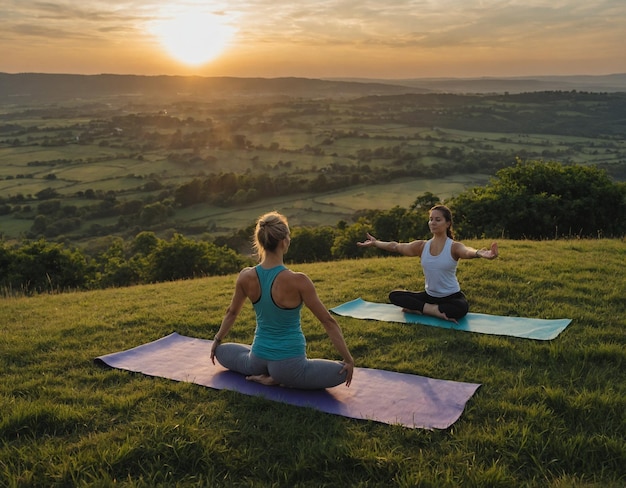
(42,266)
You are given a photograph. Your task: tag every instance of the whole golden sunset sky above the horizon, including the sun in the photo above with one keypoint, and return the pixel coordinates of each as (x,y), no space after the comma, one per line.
(320,39)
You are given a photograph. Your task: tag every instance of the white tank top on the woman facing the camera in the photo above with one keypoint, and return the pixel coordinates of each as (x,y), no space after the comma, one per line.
(440,271)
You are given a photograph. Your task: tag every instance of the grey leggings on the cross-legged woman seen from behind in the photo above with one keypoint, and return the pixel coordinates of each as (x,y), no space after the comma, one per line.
(298,372)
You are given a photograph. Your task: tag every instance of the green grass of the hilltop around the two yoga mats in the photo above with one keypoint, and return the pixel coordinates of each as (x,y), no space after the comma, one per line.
(548,413)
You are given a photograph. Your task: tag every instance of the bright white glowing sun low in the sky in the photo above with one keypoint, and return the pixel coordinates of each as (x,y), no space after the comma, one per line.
(194,37)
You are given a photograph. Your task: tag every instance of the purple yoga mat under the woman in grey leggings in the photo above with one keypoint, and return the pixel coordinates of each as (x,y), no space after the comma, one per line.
(383,396)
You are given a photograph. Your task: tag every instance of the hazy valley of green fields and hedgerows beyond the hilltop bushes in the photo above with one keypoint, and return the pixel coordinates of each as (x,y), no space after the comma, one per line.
(366,153)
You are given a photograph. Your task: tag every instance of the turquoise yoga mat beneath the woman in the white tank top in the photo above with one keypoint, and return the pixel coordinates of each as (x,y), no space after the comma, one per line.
(528,328)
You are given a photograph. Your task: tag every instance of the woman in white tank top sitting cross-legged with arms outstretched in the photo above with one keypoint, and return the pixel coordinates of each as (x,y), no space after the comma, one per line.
(442,296)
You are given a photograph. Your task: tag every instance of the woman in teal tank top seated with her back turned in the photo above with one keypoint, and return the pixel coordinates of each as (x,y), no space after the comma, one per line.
(278,352)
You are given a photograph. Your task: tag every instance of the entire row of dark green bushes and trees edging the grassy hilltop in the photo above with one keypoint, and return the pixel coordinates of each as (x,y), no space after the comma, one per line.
(530,200)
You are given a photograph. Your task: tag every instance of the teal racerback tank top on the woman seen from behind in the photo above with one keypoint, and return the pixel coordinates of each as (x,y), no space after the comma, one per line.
(278,333)
